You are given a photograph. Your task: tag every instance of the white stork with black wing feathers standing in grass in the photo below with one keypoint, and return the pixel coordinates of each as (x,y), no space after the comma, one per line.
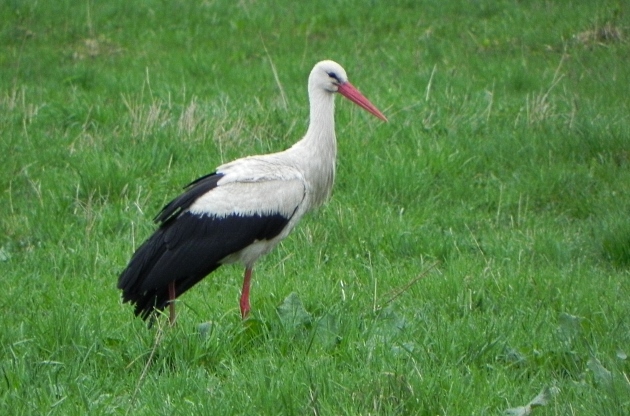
(243,209)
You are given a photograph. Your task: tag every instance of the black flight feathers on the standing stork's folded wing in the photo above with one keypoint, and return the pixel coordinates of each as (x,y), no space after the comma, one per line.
(187,247)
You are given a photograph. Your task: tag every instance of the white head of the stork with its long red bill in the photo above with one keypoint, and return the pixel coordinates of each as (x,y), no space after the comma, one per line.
(331,77)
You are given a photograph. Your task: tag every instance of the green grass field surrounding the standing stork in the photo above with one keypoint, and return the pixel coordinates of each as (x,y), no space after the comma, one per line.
(475,252)
